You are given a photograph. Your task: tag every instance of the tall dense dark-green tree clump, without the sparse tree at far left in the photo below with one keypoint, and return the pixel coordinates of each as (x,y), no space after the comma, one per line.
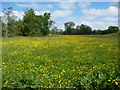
(36,25)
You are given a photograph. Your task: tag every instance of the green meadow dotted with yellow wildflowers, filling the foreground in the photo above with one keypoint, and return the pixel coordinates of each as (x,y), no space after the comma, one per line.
(60,62)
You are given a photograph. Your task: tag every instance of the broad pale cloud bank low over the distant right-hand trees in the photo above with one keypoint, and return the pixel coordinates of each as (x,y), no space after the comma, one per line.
(100,21)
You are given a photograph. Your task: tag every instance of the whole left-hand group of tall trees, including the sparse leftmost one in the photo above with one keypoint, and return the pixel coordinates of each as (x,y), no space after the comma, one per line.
(31,25)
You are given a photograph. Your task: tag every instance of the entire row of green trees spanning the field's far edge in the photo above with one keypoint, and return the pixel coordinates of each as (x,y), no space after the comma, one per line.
(42,25)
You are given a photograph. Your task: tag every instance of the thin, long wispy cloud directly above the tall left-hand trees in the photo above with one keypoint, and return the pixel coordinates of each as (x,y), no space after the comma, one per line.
(35,5)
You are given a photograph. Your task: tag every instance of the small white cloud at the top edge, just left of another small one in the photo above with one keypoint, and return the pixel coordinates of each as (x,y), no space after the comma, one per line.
(66,5)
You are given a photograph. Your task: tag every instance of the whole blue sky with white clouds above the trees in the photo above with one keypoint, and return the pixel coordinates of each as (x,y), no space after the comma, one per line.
(97,15)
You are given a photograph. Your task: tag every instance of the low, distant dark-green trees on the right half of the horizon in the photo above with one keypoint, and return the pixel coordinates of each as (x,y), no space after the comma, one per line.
(86,30)
